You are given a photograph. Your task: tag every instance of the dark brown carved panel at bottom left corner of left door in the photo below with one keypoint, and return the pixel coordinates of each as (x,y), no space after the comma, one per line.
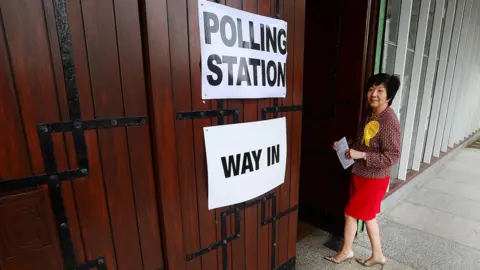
(27,232)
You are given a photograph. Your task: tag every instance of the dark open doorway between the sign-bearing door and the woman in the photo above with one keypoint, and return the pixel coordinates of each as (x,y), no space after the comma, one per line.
(339,43)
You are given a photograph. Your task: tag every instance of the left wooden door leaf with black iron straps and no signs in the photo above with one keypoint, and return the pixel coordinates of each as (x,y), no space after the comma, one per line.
(75,193)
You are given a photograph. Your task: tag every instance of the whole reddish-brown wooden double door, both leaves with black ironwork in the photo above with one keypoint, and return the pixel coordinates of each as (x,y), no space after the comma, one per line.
(98,169)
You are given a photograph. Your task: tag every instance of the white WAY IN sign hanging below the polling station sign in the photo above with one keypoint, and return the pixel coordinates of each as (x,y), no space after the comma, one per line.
(244,160)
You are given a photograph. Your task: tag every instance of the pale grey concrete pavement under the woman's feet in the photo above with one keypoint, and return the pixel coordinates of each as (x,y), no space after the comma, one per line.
(436,225)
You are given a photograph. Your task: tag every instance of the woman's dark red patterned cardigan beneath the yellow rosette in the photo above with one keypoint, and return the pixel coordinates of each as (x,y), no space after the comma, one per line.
(384,149)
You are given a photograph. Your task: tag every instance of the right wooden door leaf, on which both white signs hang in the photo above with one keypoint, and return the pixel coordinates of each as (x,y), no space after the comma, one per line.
(172,34)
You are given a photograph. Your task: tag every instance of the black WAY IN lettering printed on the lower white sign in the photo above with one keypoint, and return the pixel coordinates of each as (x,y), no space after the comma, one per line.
(242,163)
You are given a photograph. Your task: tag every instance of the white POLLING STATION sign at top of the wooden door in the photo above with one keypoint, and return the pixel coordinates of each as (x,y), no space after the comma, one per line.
(243,54)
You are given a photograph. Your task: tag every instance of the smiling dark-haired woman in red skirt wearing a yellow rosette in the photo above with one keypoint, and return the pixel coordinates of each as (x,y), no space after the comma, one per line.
(375,152)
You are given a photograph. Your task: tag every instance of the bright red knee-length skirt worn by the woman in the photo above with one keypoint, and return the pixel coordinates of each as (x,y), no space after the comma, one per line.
(366,195)
